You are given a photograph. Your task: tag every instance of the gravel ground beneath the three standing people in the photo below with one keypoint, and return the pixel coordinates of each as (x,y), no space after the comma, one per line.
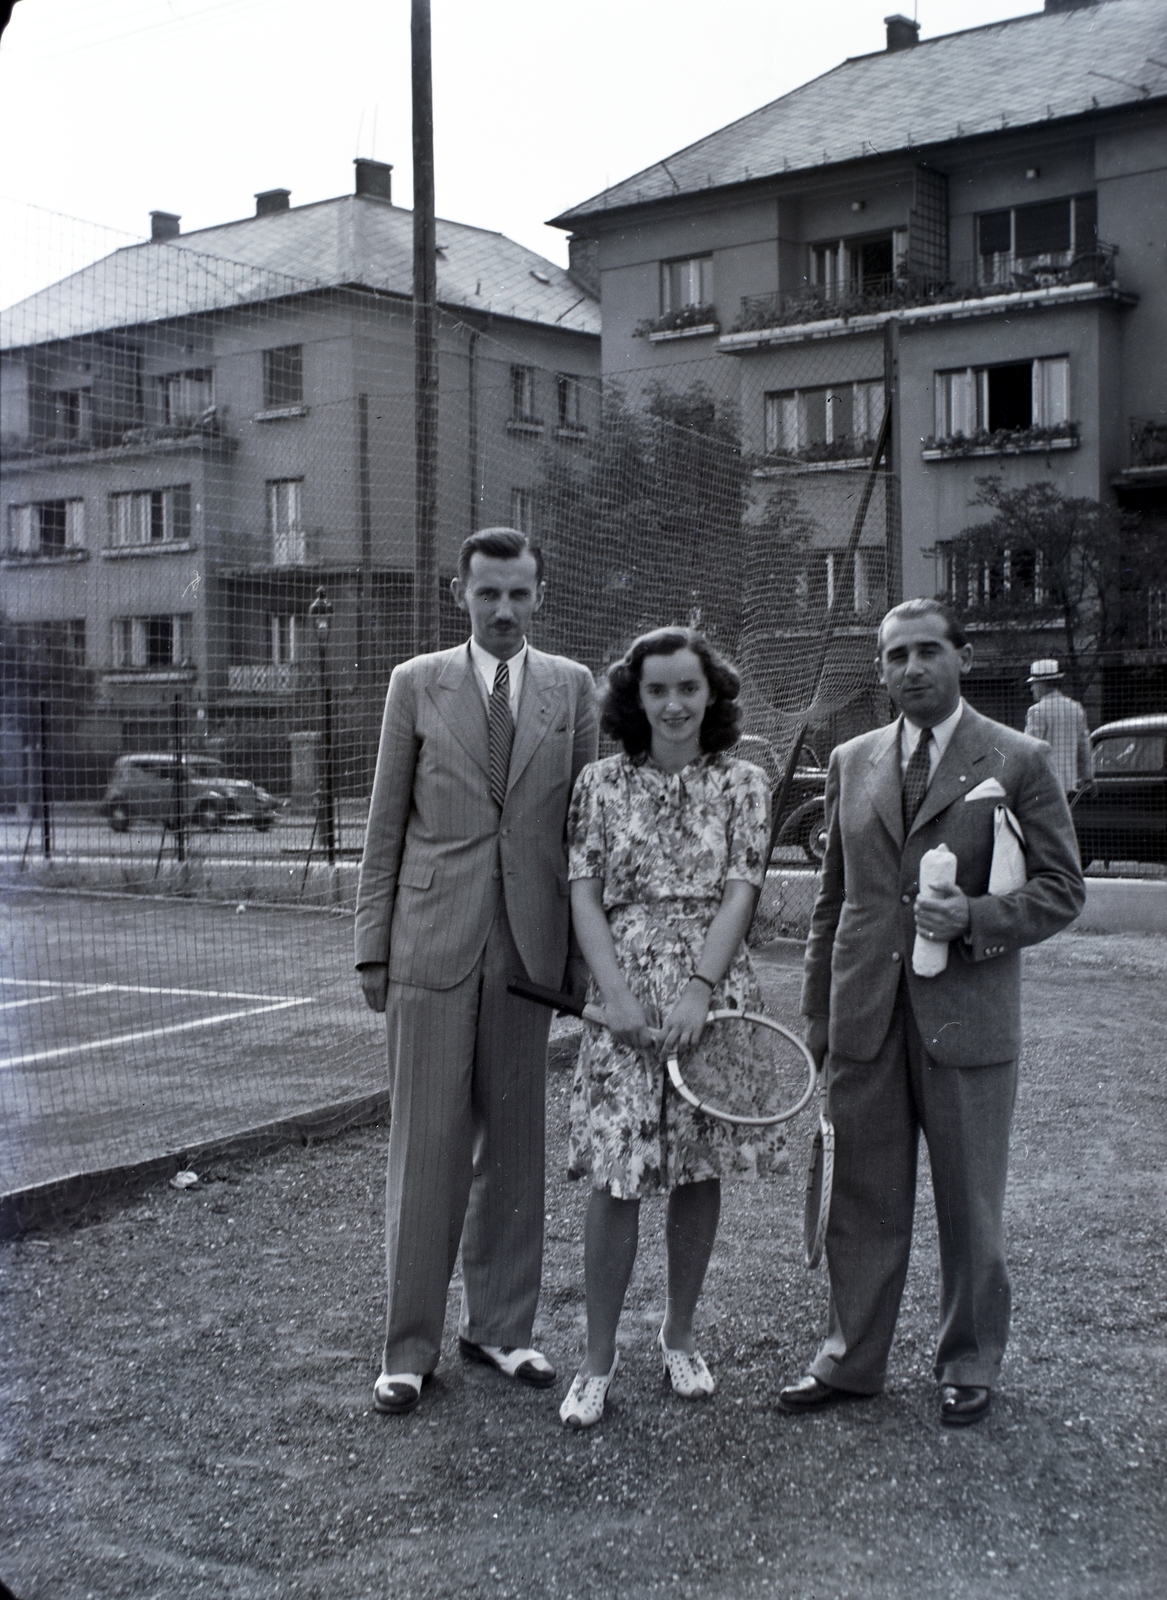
(188,1383)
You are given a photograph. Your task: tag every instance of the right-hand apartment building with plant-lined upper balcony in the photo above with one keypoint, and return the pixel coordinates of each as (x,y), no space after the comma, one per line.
(974,225)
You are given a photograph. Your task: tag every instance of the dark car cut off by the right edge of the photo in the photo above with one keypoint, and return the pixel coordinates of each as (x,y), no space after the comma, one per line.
(1123,814)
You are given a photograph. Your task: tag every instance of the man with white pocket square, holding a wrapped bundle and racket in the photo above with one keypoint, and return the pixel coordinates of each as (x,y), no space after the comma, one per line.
(908,1054)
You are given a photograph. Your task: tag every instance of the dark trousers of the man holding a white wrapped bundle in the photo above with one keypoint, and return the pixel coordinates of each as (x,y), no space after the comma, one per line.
(880,1110)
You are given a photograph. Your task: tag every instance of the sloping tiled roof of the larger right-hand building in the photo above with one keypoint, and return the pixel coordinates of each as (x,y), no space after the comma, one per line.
(985,79)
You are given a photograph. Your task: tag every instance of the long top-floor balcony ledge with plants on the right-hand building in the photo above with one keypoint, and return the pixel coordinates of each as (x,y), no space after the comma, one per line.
(981,279)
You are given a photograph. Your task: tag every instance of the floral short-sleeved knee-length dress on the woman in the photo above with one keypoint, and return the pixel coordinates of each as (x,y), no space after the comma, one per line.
(664,847)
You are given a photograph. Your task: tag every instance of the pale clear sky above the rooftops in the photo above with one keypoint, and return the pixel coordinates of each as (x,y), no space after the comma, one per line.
(111,110)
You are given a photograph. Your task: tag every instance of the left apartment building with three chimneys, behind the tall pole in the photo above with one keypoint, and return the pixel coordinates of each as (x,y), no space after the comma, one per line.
(203,431)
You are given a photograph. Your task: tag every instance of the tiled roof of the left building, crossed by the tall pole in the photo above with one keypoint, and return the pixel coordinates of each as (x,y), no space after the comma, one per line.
(351,241)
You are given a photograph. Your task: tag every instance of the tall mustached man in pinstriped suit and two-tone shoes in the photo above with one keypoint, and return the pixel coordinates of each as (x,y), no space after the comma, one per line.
(463,887)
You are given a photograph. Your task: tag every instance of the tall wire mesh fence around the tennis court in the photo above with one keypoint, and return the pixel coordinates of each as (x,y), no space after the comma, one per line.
(209,574)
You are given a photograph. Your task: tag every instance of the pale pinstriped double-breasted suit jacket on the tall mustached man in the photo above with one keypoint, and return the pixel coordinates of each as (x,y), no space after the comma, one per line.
(438,854)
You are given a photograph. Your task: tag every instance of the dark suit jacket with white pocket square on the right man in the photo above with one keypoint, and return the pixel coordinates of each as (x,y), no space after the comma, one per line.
(864,930)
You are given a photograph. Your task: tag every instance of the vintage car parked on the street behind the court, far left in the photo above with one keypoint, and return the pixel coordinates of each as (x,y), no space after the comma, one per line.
(146,790)
